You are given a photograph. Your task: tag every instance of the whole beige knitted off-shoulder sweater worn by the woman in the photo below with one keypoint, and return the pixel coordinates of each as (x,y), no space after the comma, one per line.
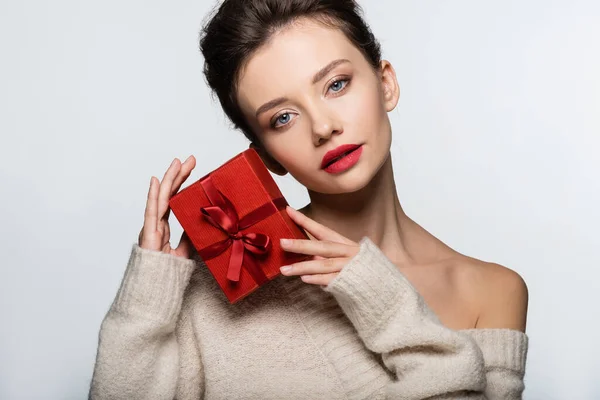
(171,334)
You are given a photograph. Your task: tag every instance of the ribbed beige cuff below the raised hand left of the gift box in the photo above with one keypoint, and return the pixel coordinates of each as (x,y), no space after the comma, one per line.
(153,285)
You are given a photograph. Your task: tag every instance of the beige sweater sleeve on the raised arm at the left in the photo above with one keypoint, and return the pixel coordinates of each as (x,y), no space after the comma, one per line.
(139,354)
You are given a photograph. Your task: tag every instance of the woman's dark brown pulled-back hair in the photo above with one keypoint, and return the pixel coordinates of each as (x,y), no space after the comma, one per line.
(240,27)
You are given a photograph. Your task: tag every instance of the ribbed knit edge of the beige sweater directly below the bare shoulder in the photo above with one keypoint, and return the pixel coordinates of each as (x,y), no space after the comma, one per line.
(502,348)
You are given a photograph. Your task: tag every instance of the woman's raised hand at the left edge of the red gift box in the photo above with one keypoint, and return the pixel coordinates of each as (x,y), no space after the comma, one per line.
(155,234)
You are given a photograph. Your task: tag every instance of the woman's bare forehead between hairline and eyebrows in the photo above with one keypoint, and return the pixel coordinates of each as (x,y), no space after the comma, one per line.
(288,61)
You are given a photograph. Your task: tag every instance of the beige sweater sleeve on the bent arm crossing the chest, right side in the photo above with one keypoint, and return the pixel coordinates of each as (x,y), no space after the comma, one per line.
(428,359)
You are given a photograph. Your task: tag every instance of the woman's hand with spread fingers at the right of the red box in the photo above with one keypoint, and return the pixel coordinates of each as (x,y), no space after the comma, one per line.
(330,251)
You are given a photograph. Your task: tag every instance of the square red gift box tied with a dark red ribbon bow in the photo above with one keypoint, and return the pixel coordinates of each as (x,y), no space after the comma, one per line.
(234,217)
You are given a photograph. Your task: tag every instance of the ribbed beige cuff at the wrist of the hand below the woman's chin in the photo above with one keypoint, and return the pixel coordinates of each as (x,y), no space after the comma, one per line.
(369,288)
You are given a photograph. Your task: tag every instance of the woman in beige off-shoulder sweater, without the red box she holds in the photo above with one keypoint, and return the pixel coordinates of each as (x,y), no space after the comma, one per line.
(382,310)
